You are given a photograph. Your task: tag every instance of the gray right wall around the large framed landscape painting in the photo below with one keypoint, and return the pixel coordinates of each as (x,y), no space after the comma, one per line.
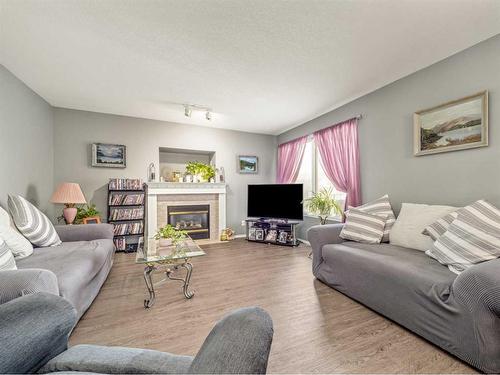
(386,139)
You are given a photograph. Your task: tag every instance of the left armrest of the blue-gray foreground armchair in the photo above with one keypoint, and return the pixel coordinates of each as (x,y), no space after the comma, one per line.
(33,330)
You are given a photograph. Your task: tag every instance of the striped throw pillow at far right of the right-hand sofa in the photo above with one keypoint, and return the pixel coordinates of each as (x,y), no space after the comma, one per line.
(473,237)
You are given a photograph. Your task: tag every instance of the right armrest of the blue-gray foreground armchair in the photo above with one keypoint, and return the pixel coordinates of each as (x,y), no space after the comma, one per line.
(238,344)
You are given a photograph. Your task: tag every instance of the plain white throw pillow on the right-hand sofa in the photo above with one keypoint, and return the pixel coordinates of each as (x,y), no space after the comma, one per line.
(412,220)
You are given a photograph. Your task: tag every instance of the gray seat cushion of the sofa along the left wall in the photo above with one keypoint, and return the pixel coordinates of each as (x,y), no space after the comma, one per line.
(76,265)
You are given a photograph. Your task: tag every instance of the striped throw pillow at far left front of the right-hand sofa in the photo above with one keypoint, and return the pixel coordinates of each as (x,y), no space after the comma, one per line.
(363,227)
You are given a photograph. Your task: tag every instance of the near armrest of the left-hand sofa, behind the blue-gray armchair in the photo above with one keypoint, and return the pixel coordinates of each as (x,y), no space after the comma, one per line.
(17,283)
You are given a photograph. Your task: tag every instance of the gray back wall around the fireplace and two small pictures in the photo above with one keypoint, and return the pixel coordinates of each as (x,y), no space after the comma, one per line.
(75,130)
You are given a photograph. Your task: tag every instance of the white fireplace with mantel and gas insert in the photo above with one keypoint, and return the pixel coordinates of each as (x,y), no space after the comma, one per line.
(168,197)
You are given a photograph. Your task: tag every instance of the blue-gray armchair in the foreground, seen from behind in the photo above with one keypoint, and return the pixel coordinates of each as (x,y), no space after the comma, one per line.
(238,344)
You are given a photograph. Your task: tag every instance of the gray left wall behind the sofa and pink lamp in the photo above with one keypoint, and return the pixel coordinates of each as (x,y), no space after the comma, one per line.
(26,137)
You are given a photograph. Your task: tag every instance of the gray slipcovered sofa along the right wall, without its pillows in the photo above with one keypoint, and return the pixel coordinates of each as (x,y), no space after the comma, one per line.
(460,314)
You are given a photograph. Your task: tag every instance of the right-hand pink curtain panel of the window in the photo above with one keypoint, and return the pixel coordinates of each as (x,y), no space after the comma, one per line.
(338,148)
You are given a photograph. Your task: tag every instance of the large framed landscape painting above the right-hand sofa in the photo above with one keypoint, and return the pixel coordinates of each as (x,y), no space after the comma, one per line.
(457,125)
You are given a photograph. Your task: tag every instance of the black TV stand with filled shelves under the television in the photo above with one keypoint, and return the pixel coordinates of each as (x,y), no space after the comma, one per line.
(273,231)
